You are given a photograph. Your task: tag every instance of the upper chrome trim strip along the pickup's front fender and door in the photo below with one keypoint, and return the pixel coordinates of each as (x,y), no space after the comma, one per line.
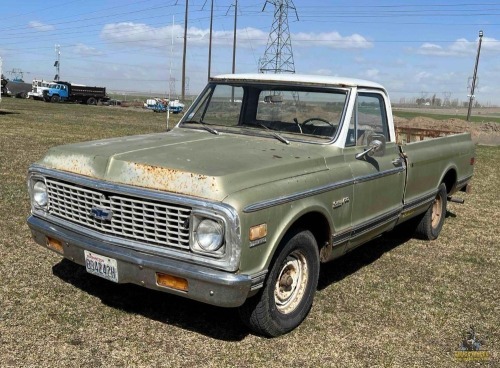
(319,190)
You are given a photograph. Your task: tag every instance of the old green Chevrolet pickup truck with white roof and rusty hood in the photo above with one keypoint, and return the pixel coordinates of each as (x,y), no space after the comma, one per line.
(265,178)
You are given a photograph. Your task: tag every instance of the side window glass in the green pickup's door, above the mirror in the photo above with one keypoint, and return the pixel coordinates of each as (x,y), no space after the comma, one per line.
(371,117)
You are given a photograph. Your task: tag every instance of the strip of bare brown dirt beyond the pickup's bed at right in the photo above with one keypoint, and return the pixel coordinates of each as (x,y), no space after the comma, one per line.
(486,133)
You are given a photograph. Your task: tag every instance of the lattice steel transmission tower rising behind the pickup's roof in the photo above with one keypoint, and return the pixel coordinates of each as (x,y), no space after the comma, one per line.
(278,57)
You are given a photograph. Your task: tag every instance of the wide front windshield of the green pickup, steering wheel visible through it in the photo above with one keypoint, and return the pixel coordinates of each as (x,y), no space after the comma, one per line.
(301,113)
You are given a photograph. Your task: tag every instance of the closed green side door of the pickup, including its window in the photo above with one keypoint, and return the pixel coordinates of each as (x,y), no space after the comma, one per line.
(379,177)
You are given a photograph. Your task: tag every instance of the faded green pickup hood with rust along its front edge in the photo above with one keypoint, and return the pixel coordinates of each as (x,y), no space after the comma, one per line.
(187,161)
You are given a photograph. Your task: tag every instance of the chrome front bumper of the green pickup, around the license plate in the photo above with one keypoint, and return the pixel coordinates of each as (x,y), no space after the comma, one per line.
(207,285)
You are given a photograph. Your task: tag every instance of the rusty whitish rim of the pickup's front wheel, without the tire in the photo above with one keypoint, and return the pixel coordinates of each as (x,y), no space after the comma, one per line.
(291,283)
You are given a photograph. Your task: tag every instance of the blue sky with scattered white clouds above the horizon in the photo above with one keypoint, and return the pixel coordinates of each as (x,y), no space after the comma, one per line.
(416,49)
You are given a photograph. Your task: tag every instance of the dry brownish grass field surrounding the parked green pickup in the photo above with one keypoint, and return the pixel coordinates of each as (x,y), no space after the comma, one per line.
(395,301)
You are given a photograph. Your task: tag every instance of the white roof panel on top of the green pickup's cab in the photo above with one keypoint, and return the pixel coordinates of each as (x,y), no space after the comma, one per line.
(298,79)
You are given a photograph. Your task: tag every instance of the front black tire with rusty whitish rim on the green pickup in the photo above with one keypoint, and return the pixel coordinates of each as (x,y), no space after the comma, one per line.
(288,293)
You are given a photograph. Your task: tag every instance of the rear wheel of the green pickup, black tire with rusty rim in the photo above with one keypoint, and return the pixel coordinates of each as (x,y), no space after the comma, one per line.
(432,222)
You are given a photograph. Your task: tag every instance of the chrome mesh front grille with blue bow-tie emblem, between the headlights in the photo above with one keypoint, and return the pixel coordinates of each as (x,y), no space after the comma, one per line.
(133,218)
